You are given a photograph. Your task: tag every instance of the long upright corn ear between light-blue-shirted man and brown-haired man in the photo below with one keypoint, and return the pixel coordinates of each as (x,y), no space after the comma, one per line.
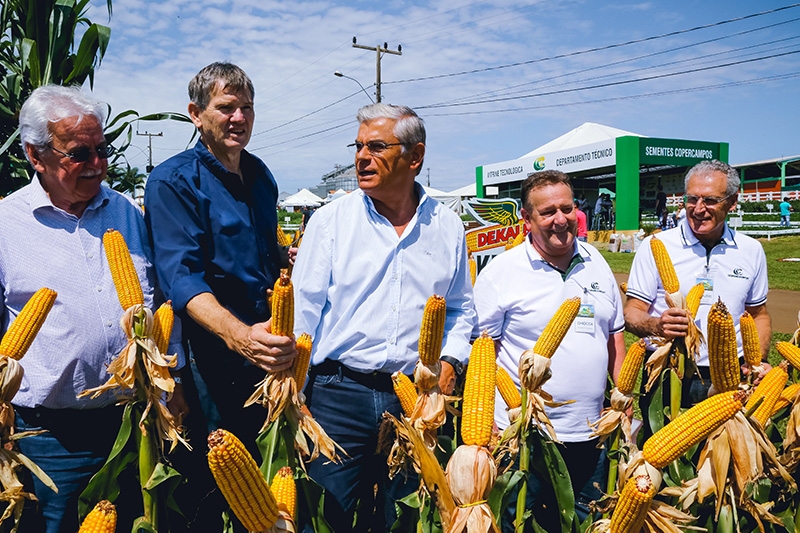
(477,407)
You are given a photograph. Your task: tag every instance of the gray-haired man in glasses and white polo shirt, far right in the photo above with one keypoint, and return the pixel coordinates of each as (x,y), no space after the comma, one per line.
(703,249)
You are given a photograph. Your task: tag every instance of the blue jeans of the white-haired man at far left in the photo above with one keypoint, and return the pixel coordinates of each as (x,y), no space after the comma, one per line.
(75,447)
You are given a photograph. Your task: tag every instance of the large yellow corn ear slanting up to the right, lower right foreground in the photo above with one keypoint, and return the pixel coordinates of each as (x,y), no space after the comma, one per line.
(690,427)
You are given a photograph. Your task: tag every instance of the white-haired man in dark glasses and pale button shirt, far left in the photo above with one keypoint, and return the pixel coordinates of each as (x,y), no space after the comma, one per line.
(51,236)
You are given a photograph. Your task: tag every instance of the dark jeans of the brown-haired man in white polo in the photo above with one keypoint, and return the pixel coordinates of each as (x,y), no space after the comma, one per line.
(586,464)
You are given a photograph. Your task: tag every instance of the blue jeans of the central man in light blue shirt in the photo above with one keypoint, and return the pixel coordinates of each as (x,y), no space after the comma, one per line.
(351,414)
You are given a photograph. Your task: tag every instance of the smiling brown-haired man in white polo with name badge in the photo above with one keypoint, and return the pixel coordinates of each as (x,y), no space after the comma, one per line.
(515,297)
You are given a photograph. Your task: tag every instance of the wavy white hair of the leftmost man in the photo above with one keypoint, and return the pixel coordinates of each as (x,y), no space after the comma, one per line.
(52,103)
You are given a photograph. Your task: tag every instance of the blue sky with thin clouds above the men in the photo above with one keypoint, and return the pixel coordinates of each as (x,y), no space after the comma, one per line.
(493,80)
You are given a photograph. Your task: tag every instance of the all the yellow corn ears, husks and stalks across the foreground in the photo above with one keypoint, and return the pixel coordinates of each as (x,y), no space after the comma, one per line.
(726,464)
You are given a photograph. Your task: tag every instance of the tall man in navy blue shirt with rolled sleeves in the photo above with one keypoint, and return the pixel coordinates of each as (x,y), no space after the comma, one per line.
(211,216)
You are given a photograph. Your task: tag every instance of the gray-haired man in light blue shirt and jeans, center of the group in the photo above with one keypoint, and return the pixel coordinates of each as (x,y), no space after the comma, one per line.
(367,265)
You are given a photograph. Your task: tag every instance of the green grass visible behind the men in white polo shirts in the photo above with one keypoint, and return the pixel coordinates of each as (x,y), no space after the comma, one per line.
(782,275)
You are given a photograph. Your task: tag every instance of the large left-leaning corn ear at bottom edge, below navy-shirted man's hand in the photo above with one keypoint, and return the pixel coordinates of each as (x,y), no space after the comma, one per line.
(241,482)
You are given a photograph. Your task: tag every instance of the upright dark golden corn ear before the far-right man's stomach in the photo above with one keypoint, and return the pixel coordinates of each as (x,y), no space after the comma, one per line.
(723,355)
